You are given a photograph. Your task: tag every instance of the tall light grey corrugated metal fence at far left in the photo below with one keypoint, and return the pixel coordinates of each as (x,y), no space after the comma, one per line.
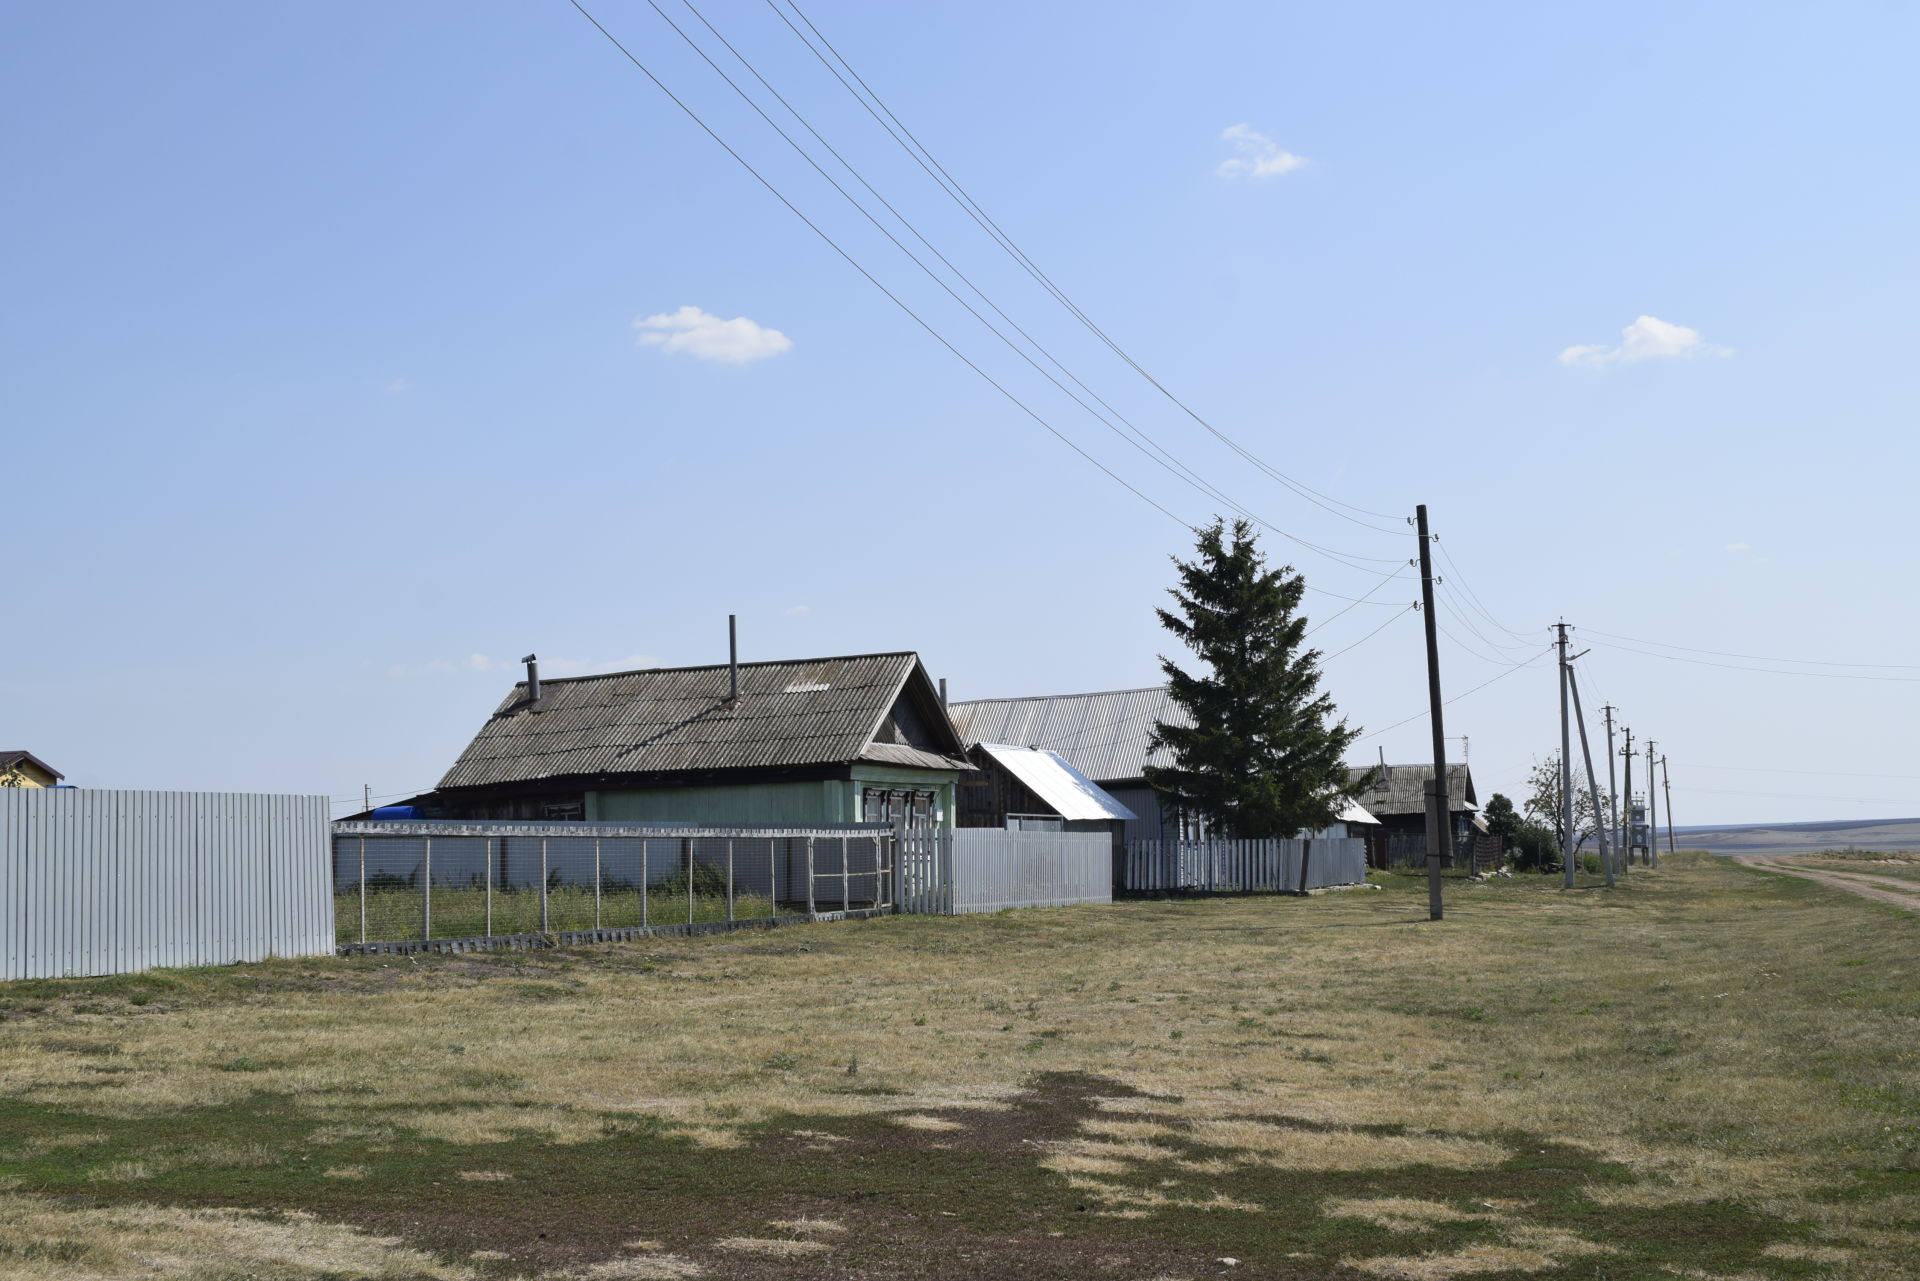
(110,882)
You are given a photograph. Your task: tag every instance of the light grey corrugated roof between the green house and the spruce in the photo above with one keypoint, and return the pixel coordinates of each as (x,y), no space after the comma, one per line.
(1105,737)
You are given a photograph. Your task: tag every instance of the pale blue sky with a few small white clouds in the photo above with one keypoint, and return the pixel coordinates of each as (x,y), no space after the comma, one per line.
(325,397)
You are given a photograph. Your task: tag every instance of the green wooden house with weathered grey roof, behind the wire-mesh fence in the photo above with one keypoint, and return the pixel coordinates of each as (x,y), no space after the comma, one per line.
(859,738)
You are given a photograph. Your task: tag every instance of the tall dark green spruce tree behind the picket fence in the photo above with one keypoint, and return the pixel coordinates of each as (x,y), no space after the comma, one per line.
(1264,756)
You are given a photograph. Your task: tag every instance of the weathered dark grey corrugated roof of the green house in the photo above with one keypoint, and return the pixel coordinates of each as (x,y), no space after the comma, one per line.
(790,713)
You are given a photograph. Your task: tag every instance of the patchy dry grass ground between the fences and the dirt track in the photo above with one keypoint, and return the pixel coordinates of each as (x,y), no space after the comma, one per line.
(1708,1073)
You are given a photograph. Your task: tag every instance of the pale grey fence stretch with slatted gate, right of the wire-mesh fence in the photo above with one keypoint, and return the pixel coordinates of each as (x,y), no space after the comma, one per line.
(992,869)
